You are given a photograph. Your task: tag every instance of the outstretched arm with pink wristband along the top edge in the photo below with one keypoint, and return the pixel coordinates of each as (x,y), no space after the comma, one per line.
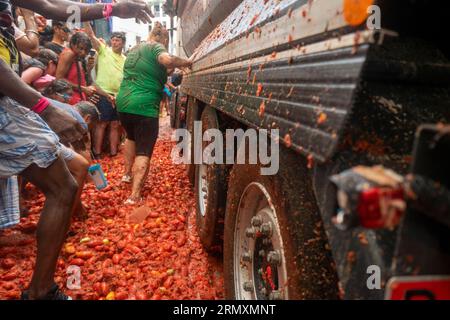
(58,9)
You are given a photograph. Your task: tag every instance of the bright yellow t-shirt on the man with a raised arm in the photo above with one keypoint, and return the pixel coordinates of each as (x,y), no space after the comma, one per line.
(109,69)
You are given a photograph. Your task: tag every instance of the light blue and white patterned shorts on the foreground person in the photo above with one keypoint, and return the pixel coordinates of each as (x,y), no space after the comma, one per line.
(25,139)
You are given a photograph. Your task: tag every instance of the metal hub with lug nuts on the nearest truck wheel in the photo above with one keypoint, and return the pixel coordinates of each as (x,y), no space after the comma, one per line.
(259,263)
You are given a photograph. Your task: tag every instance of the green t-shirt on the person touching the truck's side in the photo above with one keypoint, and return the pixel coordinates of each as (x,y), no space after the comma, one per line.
(142,87)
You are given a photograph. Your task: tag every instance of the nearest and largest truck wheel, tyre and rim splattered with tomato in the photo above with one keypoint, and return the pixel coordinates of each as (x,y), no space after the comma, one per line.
(274,242)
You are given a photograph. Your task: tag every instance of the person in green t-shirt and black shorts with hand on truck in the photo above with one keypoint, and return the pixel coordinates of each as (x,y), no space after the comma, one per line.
(138,101)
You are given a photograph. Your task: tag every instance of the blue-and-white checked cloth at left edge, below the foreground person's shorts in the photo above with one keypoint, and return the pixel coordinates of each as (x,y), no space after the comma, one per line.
(9,203)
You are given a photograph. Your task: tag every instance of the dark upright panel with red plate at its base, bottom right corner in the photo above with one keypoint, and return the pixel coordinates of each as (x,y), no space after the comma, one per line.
(421,264)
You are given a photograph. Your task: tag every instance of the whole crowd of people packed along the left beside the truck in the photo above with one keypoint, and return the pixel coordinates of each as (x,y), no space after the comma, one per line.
(60,89)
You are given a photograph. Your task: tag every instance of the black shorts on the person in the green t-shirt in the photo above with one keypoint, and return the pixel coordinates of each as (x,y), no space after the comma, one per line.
(142,130)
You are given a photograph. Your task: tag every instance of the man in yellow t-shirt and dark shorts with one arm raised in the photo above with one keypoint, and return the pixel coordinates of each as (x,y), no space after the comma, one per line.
(110,63)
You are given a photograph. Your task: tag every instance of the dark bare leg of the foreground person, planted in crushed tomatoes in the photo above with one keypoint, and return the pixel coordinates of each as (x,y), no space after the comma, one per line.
(59,188)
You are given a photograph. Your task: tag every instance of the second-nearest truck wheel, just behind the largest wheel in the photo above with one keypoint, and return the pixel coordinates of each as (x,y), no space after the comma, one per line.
(210,193)
